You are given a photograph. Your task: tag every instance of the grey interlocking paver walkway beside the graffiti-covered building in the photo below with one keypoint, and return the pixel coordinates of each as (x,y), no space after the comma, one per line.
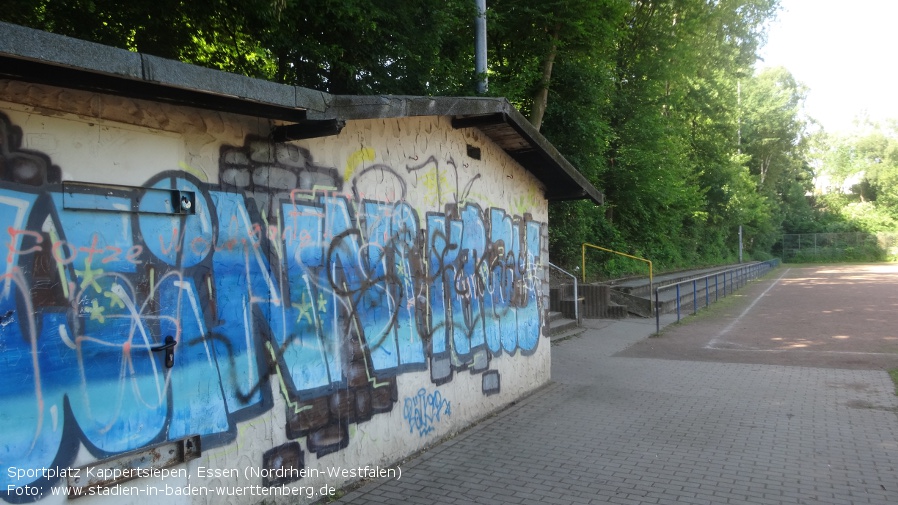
(637,430)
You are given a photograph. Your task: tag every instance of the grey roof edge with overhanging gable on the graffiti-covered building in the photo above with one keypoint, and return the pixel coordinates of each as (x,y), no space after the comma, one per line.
(40,57)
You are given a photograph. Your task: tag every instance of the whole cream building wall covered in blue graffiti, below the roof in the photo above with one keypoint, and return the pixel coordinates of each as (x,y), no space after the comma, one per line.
(337,303)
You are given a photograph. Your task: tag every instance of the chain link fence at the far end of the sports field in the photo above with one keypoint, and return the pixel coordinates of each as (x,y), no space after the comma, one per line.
(825,247)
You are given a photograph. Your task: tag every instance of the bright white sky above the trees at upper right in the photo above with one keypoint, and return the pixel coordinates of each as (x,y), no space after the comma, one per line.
(846,52)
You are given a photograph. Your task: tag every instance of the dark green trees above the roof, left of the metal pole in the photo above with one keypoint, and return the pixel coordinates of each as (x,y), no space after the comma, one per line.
(346,47)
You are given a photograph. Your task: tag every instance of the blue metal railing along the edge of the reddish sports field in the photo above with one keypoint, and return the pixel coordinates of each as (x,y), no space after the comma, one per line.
(723,283)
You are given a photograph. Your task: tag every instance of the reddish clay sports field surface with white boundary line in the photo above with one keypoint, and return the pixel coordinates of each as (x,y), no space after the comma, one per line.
(840,316)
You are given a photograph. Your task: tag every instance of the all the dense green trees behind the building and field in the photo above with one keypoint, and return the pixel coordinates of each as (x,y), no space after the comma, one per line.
(656,101)
